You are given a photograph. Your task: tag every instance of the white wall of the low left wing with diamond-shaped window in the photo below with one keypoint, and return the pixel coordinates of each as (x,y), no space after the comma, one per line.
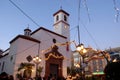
(23,48)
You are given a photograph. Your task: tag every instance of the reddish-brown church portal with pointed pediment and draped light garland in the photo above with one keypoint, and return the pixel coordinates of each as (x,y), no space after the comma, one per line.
(53,65)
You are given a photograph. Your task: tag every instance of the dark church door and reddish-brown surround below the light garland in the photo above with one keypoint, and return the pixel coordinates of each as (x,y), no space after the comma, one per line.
(53,67)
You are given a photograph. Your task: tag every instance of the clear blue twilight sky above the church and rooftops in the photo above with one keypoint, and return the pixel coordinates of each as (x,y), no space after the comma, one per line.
(99,28)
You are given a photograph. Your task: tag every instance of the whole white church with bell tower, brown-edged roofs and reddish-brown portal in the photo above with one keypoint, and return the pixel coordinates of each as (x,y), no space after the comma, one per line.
(52,47)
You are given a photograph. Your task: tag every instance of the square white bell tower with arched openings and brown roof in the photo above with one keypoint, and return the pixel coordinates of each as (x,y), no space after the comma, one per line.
(61,24)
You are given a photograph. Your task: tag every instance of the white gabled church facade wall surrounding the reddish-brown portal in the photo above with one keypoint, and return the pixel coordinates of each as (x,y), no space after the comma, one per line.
(46,39)
